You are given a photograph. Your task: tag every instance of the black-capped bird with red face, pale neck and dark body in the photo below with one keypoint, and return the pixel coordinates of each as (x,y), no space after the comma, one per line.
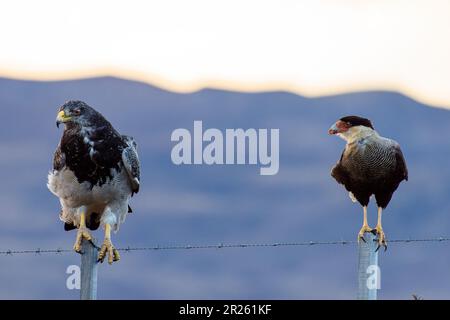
(369,165)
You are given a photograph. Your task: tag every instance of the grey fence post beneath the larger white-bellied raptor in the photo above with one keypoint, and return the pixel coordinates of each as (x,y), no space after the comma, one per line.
(89,267)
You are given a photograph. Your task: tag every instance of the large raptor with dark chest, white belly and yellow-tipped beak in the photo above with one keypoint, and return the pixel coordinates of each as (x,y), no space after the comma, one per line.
(95,173)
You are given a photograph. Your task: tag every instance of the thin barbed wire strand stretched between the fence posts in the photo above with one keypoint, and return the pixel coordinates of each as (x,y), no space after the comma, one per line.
(39,251)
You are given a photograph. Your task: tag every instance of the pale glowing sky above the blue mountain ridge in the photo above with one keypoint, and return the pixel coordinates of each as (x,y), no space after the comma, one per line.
(316,47)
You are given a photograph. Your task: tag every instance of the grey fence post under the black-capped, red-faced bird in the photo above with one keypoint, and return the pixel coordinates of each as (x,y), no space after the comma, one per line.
(368,269)
